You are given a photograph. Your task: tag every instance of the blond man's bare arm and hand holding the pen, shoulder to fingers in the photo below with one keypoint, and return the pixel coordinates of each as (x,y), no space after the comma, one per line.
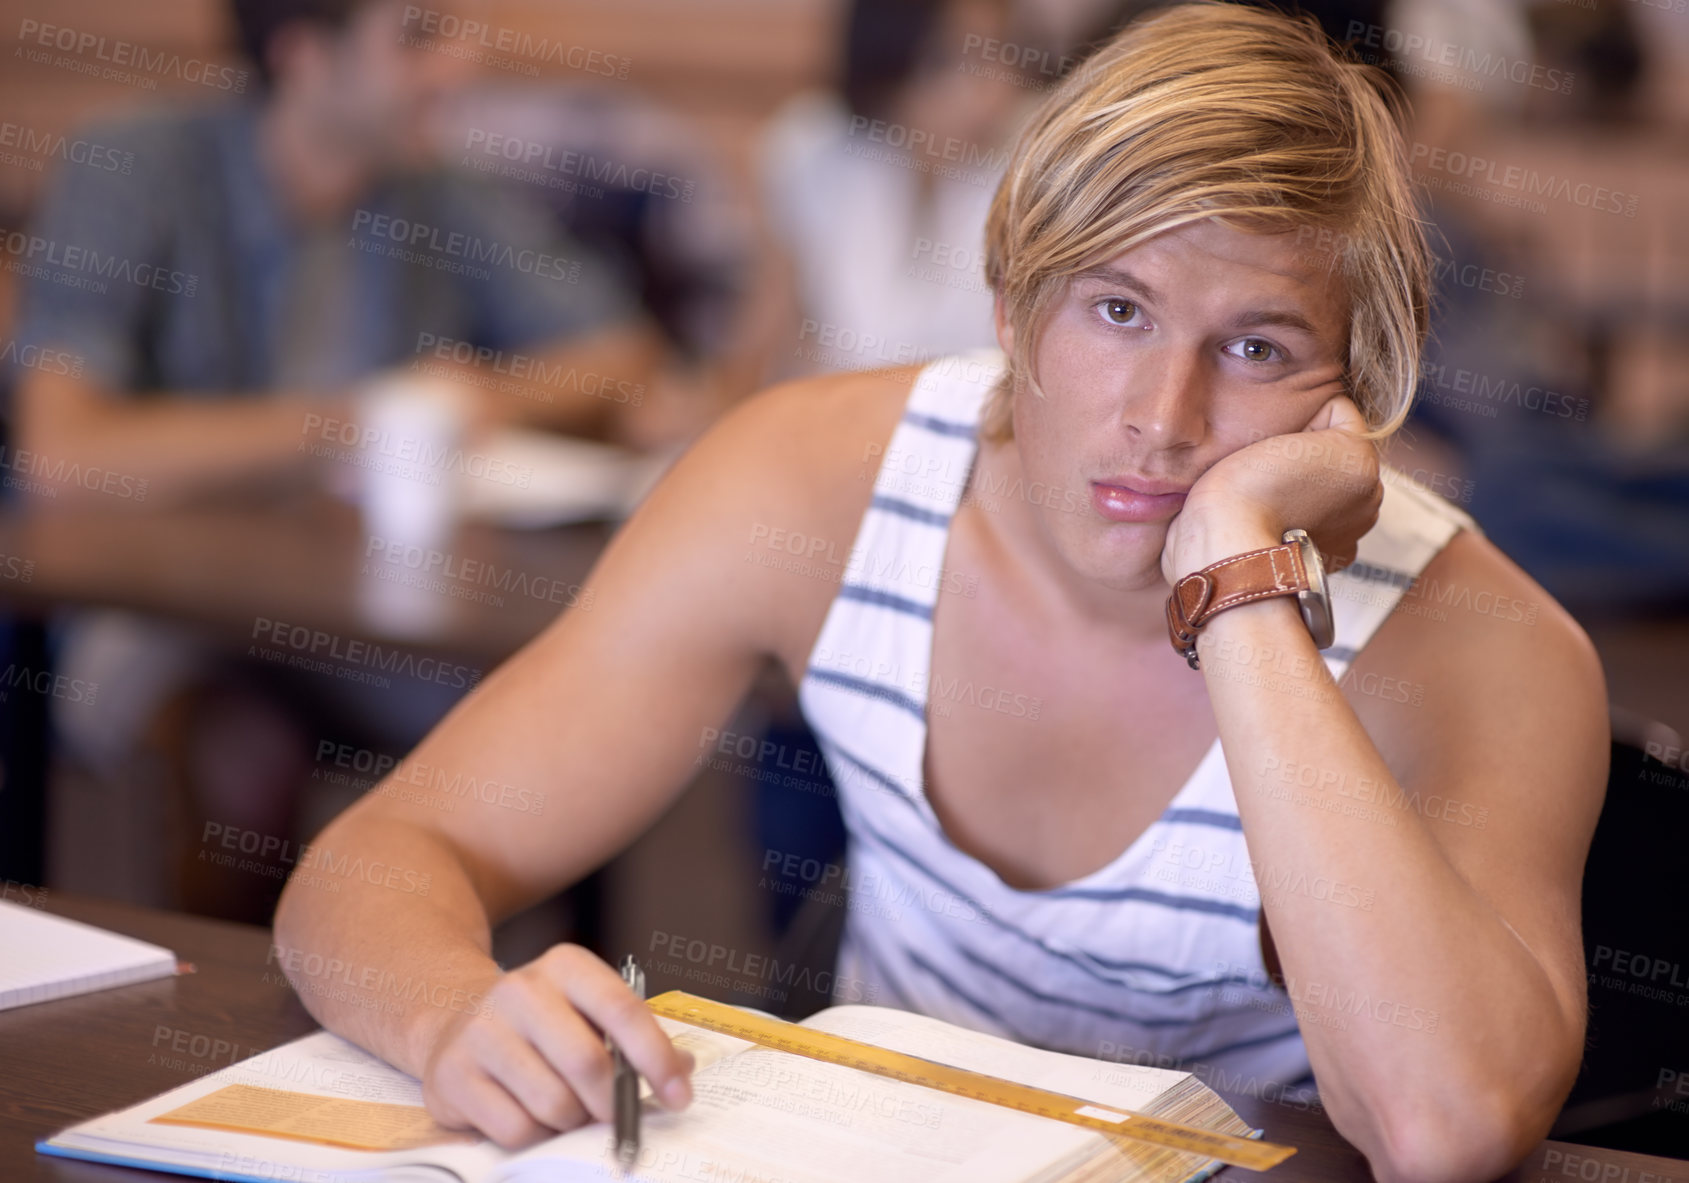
(599,719)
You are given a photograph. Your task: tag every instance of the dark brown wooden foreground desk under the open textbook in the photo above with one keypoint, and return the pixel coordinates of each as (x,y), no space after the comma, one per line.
(72,1060)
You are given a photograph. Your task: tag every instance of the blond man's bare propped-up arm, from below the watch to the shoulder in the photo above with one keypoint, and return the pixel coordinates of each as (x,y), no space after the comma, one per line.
(1440,991)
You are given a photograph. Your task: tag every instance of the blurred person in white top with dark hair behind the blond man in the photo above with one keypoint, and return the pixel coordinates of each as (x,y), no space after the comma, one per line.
(877,194)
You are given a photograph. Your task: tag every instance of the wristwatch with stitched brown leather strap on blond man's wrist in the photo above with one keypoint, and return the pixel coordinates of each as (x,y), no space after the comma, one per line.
(1291,569)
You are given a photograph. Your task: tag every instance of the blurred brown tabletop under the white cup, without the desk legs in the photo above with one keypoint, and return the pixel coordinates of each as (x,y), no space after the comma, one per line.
(225,569)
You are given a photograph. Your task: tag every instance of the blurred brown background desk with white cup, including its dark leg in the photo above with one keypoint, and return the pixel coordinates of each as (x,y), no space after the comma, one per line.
(300,584)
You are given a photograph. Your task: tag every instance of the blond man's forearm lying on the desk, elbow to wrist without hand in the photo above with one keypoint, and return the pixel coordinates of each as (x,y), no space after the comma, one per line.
(384,937)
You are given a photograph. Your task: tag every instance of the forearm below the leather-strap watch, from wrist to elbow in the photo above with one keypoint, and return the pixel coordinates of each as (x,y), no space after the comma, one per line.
(1411,991)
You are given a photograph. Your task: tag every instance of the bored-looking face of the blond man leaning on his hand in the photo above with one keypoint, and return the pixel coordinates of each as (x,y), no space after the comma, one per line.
(1156,366)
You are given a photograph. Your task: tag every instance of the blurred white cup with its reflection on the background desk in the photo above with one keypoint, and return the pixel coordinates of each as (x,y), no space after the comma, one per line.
(410,496)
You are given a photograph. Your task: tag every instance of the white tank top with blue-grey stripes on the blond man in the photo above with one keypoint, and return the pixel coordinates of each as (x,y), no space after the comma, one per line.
(1153,959)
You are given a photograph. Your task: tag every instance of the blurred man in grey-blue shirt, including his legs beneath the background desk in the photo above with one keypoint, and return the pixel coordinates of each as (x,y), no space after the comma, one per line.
(296,246)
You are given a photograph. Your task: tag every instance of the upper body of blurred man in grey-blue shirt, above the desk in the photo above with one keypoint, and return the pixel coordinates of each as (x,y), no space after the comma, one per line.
(300,239)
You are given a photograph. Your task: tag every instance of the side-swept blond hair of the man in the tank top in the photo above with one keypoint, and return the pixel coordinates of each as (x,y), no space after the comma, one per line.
(1217,111)
